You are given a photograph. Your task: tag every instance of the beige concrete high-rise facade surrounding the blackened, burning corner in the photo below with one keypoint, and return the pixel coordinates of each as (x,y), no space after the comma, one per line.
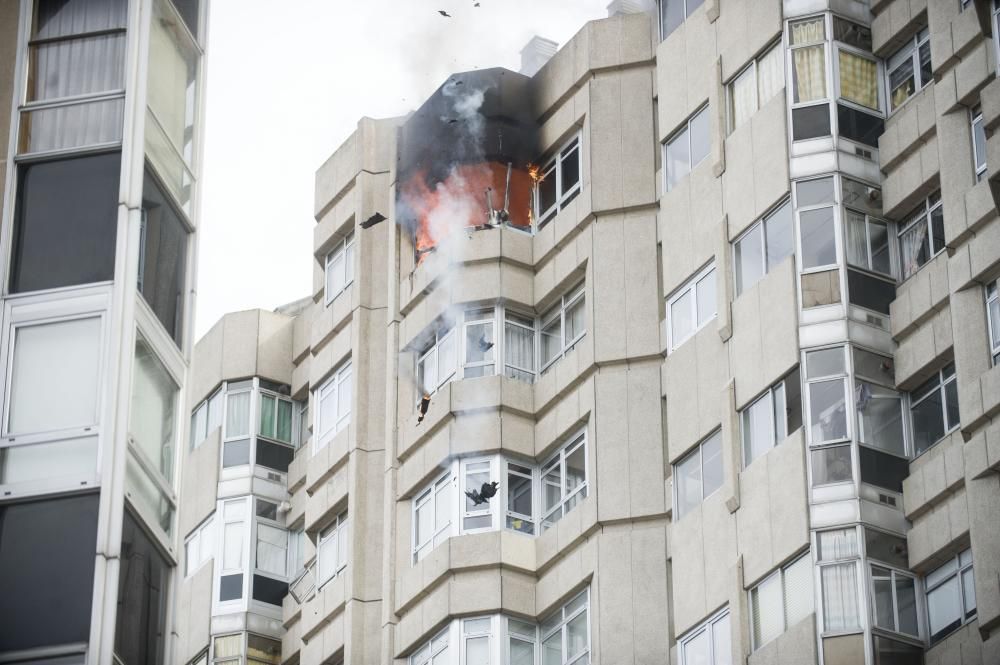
(741,461)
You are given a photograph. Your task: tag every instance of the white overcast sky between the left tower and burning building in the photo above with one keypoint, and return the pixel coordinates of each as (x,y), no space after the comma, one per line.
(287,82)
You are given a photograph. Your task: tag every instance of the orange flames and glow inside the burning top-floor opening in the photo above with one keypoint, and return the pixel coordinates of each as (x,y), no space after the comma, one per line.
(460,201)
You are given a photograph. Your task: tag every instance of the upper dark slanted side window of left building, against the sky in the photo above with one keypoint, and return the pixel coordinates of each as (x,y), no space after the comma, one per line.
(162,257)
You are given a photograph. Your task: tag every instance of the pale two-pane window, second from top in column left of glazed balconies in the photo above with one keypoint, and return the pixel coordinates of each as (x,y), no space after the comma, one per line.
(766,244)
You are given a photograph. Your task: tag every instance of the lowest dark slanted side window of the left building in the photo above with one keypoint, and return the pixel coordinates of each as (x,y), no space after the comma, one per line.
(142,598)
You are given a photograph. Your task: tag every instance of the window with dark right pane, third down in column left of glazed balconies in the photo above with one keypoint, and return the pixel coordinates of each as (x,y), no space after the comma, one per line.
(771,417)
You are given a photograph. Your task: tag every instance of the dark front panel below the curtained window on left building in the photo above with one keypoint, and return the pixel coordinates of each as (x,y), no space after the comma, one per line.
(65,222)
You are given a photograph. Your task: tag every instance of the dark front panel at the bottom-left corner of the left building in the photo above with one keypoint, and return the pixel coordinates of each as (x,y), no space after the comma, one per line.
(47,571)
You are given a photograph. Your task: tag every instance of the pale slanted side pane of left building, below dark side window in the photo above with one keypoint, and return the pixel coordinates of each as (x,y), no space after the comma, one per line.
(153,404)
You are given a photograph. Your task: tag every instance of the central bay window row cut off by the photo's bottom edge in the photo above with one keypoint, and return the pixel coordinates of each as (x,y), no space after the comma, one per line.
(562,638)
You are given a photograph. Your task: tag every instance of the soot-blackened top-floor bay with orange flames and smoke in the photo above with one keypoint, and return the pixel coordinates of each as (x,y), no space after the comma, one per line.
(463,158)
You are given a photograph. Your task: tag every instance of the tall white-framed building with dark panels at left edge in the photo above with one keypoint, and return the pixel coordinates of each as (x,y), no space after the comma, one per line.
(100,104)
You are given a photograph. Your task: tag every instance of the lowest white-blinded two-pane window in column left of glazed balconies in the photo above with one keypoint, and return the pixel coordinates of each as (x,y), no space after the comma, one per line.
(781,600)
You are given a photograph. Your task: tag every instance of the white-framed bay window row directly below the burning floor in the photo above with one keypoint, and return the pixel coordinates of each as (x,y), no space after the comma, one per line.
(472,346)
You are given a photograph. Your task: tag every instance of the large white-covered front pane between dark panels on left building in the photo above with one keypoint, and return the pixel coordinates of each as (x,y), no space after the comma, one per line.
(55,364)
